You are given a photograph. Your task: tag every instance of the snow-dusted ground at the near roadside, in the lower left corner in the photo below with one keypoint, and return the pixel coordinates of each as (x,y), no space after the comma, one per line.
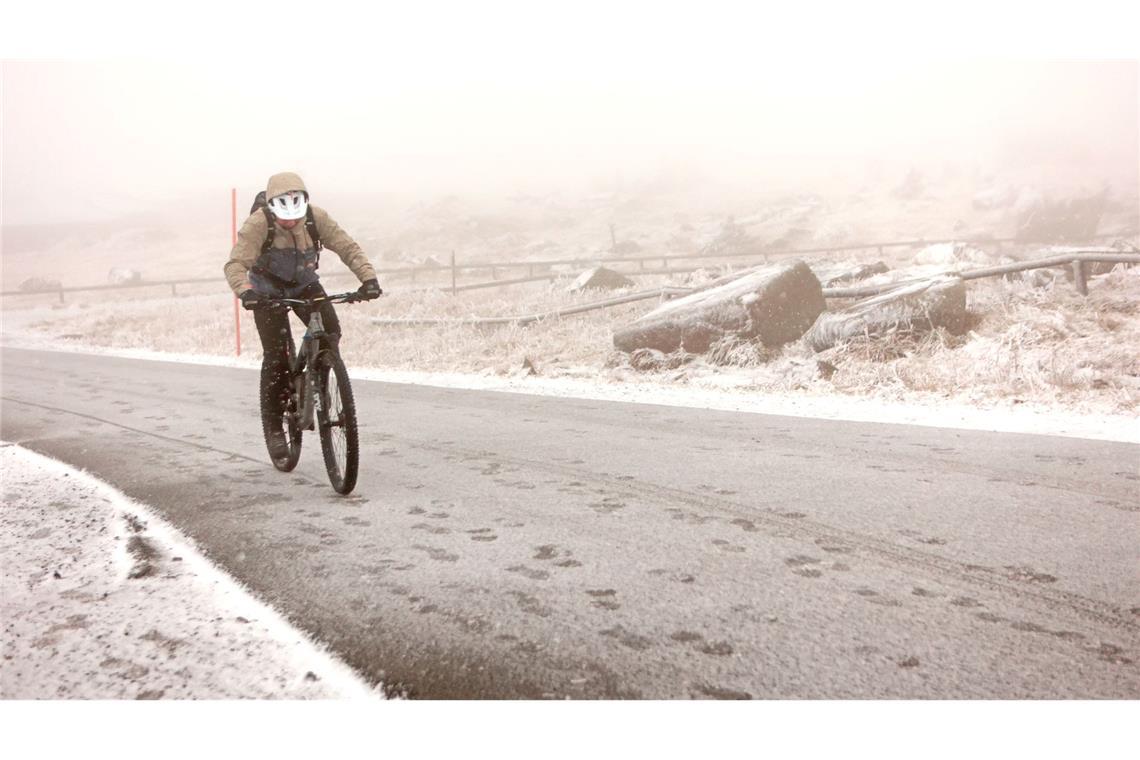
(102,600)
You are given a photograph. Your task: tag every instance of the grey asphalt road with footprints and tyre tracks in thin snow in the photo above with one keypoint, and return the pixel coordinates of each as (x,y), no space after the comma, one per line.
(514,546)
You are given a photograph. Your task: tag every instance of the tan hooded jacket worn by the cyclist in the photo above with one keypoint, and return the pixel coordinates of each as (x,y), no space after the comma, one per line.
(253,235)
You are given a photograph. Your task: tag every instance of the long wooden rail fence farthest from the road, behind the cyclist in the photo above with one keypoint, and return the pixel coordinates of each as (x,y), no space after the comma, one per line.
(646,266)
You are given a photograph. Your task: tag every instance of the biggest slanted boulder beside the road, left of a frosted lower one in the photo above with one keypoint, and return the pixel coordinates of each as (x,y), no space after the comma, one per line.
(775,305)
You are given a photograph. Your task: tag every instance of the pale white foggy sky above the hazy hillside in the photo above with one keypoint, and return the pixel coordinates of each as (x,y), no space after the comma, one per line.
(86,142)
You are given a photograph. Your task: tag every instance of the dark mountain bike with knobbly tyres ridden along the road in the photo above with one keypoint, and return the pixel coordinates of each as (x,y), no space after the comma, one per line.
(320,397)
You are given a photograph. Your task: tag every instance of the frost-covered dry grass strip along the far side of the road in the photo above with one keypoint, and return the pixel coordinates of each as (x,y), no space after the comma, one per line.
(1044,345)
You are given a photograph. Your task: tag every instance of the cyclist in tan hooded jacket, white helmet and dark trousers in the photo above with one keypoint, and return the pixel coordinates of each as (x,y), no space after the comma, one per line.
(276,256)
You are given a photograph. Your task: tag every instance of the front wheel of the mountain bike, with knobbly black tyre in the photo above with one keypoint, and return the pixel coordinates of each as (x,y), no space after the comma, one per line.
(337,421)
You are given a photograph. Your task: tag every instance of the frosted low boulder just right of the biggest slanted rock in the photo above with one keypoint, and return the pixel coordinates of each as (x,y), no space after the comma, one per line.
(919,307)
